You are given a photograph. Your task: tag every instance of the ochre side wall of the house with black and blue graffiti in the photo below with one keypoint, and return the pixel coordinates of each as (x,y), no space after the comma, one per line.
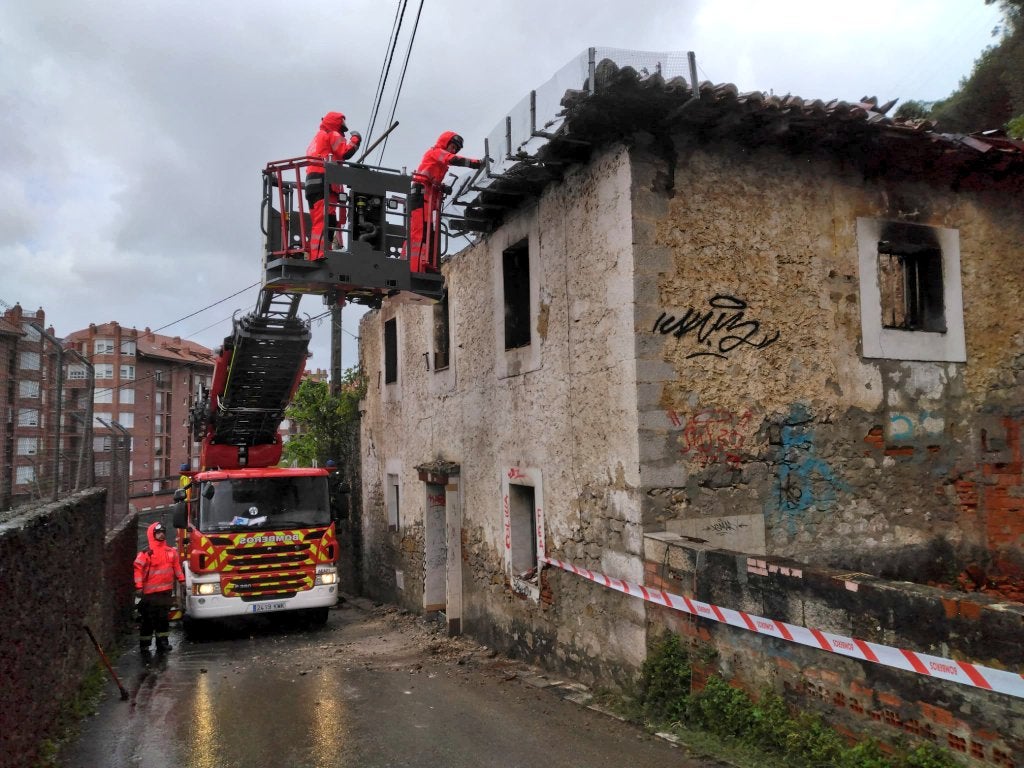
(769,433)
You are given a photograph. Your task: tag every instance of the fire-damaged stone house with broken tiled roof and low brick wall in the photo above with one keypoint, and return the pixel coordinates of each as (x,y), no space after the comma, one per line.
(758,352)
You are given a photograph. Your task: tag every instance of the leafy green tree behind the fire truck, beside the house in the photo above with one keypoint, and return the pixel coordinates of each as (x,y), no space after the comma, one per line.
(329,423)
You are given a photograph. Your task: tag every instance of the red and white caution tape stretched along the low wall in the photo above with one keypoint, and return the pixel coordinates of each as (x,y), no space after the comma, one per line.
(964,673)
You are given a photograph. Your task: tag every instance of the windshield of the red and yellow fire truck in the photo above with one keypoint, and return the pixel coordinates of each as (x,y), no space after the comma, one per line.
(265,503)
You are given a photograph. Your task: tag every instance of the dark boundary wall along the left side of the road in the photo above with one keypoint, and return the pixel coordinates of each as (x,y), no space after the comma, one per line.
(58,572)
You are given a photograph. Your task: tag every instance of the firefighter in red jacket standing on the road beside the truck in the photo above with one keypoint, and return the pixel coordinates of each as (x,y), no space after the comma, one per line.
(158,570)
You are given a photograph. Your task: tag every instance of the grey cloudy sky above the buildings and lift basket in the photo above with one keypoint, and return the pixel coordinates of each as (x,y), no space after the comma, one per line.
(134,134)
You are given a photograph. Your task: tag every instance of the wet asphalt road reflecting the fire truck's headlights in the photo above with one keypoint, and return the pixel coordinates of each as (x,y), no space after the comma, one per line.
(373,689)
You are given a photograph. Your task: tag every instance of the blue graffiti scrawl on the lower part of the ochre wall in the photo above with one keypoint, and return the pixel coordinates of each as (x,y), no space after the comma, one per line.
(804,482)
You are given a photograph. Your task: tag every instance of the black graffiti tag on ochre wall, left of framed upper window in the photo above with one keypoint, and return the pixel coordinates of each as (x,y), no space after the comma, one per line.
(721,329)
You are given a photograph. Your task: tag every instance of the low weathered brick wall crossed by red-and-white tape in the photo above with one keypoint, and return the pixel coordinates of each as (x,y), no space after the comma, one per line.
(859,698)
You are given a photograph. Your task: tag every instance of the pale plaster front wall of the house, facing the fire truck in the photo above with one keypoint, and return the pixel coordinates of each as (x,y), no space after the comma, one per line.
(568,417)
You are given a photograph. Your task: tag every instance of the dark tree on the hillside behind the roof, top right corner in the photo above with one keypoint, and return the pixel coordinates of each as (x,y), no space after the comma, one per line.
(993,97)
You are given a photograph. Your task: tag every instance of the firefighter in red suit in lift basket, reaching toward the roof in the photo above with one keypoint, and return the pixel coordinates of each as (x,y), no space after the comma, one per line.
(426,197)
